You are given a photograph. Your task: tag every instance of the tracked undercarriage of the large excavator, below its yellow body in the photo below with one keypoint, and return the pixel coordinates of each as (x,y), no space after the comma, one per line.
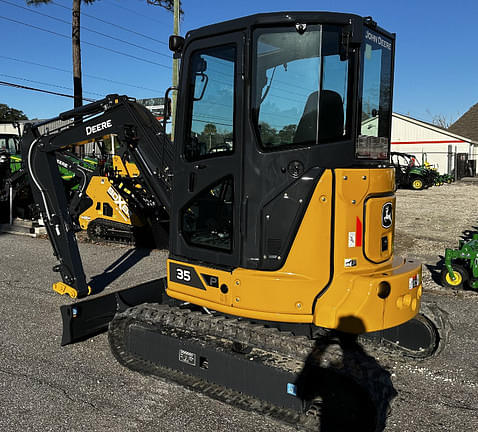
(326,379)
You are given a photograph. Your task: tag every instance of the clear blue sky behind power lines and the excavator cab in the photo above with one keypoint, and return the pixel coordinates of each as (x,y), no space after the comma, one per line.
(436,65)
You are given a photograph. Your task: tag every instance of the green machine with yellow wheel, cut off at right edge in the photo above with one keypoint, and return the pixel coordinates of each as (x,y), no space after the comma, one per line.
(461,265)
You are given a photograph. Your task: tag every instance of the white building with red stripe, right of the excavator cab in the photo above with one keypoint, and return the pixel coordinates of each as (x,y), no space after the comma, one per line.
(430,143)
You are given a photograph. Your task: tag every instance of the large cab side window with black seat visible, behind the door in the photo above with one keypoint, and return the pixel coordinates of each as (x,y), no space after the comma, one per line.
(300,86)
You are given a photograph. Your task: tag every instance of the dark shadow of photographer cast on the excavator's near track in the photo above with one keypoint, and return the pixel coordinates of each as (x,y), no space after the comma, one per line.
(348,389)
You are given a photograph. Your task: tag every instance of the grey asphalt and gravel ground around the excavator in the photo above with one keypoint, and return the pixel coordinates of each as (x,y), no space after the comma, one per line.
(44,387)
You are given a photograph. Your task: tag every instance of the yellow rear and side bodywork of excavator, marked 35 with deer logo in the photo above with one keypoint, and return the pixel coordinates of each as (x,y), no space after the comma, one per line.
(309,288)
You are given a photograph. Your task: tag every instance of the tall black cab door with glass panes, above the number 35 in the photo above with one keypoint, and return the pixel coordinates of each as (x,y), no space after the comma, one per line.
(207,176)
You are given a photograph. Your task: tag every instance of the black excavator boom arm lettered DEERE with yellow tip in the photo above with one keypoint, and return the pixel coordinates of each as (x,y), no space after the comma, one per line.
(141,138)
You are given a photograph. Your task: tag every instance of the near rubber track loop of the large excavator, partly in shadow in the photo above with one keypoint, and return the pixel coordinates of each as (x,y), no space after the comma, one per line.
(286,351)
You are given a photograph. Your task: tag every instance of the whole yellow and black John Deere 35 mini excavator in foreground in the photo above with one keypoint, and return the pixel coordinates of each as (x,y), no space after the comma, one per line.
(281,205)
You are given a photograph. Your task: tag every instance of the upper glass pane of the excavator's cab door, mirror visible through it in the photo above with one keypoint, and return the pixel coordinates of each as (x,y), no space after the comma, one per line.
(212,103)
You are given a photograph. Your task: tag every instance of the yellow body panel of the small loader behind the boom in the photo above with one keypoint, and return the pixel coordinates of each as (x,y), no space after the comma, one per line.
(102,192)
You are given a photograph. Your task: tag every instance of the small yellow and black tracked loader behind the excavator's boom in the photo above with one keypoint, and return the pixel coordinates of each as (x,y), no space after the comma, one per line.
(106,201)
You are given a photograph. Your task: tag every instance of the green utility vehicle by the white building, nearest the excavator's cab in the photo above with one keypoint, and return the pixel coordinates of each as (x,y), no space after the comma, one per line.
(409,173)
